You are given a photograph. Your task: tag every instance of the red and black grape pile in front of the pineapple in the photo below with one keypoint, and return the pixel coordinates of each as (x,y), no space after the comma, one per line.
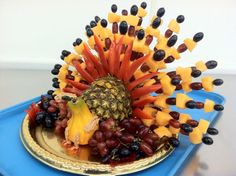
(124,141)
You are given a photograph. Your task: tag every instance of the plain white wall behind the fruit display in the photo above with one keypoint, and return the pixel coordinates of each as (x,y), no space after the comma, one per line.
(33,32)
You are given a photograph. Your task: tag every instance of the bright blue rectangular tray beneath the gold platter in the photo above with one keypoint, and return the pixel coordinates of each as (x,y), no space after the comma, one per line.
(16,161)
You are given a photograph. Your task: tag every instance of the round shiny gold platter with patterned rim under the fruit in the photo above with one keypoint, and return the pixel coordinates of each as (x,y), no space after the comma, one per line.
(46,147)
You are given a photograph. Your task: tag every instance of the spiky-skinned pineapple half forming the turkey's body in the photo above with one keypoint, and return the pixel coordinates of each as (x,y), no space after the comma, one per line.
(108,97)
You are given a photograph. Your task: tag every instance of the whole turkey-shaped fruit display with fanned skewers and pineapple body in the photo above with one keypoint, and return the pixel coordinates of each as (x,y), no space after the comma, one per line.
(113,95)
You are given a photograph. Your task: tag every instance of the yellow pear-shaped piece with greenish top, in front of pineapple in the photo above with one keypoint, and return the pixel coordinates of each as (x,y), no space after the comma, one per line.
(81,125)
